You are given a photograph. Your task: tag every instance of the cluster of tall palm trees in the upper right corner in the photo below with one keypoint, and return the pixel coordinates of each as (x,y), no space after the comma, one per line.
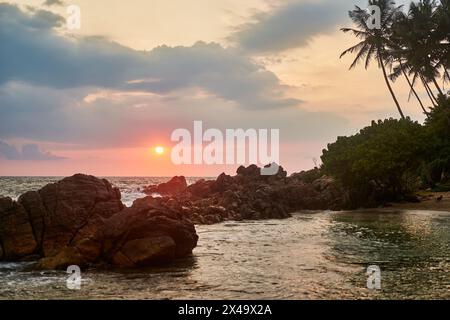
(413,42)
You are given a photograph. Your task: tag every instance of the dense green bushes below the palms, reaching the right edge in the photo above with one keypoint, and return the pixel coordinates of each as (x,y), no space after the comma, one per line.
(388,159)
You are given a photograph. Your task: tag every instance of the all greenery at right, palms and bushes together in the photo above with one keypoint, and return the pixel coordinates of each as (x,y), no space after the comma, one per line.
(392,158)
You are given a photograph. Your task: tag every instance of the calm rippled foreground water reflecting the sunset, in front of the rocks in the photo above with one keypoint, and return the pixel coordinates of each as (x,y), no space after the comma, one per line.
(321,255)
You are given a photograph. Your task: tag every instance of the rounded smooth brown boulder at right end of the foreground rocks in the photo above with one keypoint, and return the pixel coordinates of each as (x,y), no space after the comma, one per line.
(167,233)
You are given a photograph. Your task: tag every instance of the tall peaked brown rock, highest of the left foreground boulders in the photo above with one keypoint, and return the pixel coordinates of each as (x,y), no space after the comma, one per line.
(71,209)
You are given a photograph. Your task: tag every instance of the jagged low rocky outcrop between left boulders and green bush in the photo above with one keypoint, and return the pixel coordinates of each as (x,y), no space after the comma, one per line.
(250,195)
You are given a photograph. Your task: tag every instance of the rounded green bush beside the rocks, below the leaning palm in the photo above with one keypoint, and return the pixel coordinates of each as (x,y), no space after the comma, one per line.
(380,162)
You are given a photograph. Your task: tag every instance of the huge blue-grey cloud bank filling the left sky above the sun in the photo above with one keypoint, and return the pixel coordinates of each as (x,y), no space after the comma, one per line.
(94,93)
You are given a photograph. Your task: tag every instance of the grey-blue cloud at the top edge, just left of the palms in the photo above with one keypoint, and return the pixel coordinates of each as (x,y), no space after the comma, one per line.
(291,25)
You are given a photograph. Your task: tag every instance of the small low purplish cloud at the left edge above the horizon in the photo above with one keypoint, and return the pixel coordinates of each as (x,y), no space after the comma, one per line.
(28,152)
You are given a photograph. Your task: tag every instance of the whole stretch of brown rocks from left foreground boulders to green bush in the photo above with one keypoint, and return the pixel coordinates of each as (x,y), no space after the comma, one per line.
(81,220)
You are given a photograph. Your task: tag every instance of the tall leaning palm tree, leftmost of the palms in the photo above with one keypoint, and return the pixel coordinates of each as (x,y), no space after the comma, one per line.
(374,40)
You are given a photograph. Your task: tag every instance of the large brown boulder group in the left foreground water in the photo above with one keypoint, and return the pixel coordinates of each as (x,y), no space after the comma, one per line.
(81,220)
